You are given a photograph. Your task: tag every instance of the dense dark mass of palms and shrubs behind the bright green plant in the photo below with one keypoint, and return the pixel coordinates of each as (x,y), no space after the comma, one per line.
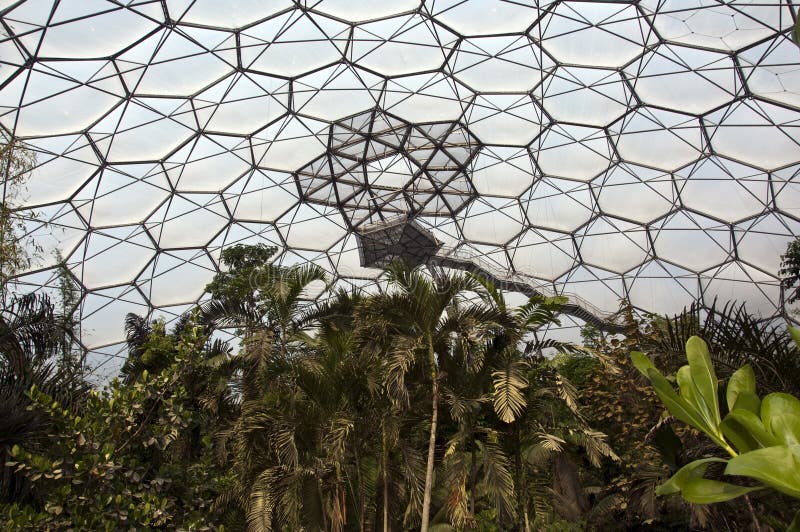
(434,405)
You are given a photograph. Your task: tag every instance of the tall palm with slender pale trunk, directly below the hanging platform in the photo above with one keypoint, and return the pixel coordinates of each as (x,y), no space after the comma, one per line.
(425,317)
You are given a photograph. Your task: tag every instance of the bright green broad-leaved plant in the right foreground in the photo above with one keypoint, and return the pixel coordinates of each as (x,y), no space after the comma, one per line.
(761,436)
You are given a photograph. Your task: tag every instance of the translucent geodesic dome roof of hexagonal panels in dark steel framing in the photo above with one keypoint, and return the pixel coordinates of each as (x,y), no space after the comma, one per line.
(643,149)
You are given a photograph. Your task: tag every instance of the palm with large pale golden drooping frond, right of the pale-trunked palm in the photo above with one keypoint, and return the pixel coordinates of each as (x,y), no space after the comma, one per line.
(527,392)
